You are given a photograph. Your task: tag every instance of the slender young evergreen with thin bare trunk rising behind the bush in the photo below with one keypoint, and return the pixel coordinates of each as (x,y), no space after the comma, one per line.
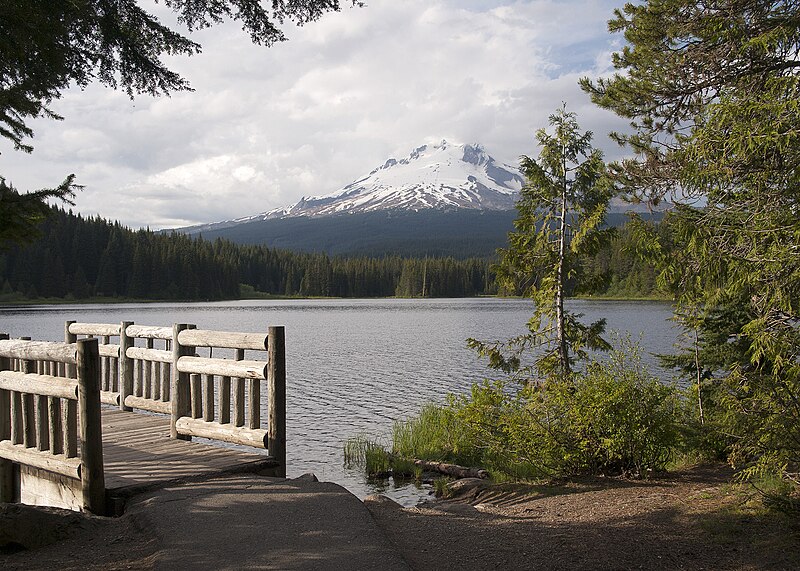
(561,209)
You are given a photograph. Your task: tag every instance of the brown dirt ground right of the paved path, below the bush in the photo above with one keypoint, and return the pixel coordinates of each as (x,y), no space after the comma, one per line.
(690,520)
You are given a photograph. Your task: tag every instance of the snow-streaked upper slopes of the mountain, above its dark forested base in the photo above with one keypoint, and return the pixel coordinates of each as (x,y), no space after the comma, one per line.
(440,176)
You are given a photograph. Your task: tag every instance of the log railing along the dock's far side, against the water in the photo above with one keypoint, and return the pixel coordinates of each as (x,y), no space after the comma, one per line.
(209,397)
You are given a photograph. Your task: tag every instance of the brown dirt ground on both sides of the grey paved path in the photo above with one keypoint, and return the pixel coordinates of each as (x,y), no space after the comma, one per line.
(690,520)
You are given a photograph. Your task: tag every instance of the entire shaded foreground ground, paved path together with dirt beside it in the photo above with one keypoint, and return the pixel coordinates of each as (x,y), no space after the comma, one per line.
(692,520)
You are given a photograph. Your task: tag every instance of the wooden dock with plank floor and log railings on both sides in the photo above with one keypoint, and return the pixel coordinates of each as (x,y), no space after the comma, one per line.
(60,446)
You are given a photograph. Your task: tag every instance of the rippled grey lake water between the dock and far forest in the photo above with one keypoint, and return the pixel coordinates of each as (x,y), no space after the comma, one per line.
(355,366)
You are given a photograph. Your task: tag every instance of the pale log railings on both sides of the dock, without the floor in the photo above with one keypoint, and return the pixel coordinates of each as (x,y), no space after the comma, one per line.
(48,421)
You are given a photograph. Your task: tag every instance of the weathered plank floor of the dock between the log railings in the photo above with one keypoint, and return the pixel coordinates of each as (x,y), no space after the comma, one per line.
(139,456)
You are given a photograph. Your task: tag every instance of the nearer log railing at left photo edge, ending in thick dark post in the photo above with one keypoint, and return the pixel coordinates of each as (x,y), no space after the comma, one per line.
(48,421)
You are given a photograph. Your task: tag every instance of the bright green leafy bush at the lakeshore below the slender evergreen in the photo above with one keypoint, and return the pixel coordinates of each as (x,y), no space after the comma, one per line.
(613,418)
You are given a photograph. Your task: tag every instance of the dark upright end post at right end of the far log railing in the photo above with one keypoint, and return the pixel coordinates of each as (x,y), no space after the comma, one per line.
(276,381)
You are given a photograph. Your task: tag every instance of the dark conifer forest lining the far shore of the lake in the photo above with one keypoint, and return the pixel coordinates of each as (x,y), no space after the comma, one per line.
(79,258)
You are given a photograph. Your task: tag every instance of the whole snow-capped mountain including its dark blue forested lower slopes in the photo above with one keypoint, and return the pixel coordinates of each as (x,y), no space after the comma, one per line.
(442,199)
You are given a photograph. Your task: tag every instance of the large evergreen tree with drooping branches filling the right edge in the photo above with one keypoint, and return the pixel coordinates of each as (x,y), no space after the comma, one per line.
(712,90)
